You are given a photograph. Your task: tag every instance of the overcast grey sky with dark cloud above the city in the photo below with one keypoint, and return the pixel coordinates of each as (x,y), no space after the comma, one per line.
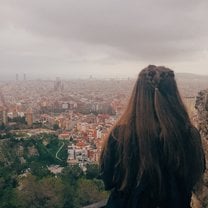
(73,38)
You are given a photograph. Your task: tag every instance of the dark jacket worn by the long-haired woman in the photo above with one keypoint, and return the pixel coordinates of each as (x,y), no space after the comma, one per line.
(137,196)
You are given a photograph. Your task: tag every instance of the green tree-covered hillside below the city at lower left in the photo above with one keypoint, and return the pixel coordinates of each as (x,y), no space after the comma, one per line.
(25,180)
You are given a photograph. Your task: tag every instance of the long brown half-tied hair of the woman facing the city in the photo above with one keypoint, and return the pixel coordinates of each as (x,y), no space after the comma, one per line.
(156,116)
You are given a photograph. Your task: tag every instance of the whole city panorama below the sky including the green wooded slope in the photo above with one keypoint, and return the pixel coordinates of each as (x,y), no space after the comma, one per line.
(55,129)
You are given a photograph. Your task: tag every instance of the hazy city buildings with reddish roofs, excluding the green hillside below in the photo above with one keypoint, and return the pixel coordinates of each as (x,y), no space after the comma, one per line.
(79,111)
